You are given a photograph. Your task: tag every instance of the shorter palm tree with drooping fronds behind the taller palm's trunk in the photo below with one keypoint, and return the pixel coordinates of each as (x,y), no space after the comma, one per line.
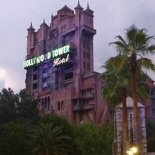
(117,86)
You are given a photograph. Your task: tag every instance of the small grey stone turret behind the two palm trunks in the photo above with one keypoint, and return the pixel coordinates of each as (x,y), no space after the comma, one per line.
(119,144)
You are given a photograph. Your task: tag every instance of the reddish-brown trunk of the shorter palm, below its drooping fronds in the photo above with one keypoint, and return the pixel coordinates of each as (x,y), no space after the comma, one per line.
(125,122)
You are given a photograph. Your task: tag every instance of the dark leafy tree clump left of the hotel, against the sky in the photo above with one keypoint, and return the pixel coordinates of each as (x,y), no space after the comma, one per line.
(16,106)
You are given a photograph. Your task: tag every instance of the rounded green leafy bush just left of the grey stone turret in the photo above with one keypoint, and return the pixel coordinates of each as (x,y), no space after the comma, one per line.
(93,139)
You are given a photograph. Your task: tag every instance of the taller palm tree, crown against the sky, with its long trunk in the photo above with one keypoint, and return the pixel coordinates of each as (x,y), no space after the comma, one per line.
(135,47)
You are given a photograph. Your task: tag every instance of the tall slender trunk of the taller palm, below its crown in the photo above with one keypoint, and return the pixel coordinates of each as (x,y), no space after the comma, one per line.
(134,97)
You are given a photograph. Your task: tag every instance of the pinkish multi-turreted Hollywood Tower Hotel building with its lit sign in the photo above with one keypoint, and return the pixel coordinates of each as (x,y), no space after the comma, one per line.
(59,67)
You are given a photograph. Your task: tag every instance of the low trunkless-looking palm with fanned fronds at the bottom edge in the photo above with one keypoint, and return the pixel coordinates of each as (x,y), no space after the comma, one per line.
(49,140)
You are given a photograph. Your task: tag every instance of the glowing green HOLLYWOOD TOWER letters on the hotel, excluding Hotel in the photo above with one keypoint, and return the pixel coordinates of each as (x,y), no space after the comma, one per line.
(53,54)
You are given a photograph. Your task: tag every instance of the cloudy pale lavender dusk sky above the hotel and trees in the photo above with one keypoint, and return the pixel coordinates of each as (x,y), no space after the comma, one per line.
(111,18)
